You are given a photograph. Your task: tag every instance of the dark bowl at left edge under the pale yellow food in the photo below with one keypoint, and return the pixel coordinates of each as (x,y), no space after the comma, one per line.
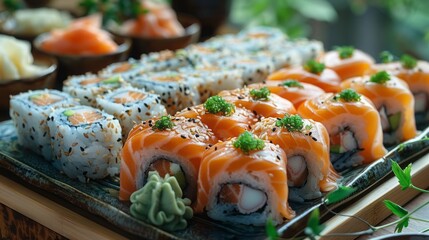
(45,80)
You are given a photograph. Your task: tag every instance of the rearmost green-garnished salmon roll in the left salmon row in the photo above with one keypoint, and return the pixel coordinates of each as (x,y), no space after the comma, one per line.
(348,62)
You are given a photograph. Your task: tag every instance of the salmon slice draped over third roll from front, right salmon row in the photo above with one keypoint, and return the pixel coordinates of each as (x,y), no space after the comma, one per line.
(360,118)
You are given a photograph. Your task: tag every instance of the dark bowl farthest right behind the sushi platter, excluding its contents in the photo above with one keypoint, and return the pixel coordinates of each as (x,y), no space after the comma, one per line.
(140,45)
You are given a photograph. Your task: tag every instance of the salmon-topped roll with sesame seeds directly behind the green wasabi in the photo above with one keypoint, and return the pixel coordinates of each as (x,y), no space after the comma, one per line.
(173,146)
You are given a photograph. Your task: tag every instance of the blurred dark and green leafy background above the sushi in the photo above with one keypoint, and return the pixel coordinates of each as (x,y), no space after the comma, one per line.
(400,26)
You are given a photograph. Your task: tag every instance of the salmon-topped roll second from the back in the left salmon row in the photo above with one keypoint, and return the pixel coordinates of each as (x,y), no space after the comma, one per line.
(312,72)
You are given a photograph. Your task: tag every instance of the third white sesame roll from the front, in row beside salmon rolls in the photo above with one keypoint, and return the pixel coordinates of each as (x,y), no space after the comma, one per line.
(176,89)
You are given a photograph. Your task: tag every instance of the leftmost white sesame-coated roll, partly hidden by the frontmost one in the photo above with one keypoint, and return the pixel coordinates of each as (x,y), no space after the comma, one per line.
(29,112)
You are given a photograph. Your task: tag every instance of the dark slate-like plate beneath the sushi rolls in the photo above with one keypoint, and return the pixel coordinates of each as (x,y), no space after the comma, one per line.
(100,198)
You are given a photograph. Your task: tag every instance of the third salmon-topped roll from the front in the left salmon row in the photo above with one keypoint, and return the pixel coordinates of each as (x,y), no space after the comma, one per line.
(260,101)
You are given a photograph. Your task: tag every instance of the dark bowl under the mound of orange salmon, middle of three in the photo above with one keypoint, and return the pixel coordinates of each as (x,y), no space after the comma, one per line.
(81,64)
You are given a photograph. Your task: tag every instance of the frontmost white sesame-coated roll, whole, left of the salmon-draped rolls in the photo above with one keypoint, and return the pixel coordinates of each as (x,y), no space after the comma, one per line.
(86,142)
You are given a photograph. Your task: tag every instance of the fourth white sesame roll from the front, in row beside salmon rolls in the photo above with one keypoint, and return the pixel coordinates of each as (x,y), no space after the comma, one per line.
(213,79)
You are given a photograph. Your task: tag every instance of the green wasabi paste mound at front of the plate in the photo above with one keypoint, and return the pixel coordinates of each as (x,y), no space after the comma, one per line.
(160,203)
